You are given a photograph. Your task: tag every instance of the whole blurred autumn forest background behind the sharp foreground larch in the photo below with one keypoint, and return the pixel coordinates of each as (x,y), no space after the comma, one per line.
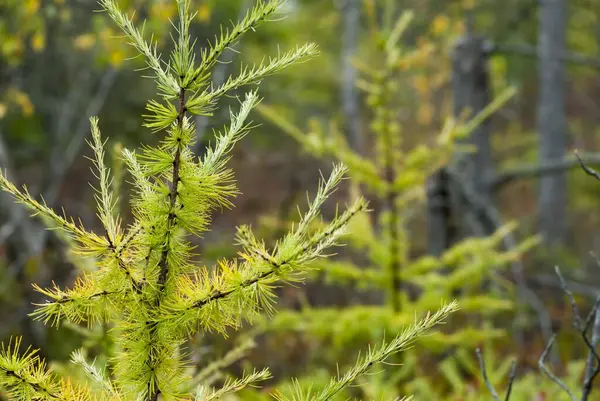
(518,191)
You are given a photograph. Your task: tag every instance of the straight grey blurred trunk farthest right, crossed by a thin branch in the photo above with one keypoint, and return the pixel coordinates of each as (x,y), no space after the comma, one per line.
(552,122)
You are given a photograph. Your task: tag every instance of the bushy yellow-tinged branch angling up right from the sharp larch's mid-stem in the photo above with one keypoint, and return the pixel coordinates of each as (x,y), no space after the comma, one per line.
(216,301)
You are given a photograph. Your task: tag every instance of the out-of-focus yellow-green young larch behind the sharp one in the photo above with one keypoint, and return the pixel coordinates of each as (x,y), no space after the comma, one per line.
(397,176)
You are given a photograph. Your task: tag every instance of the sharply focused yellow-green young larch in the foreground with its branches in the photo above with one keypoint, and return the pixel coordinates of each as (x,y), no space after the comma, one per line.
(147,284)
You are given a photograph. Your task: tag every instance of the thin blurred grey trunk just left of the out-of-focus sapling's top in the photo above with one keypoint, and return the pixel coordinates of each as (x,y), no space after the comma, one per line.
(349,92)
